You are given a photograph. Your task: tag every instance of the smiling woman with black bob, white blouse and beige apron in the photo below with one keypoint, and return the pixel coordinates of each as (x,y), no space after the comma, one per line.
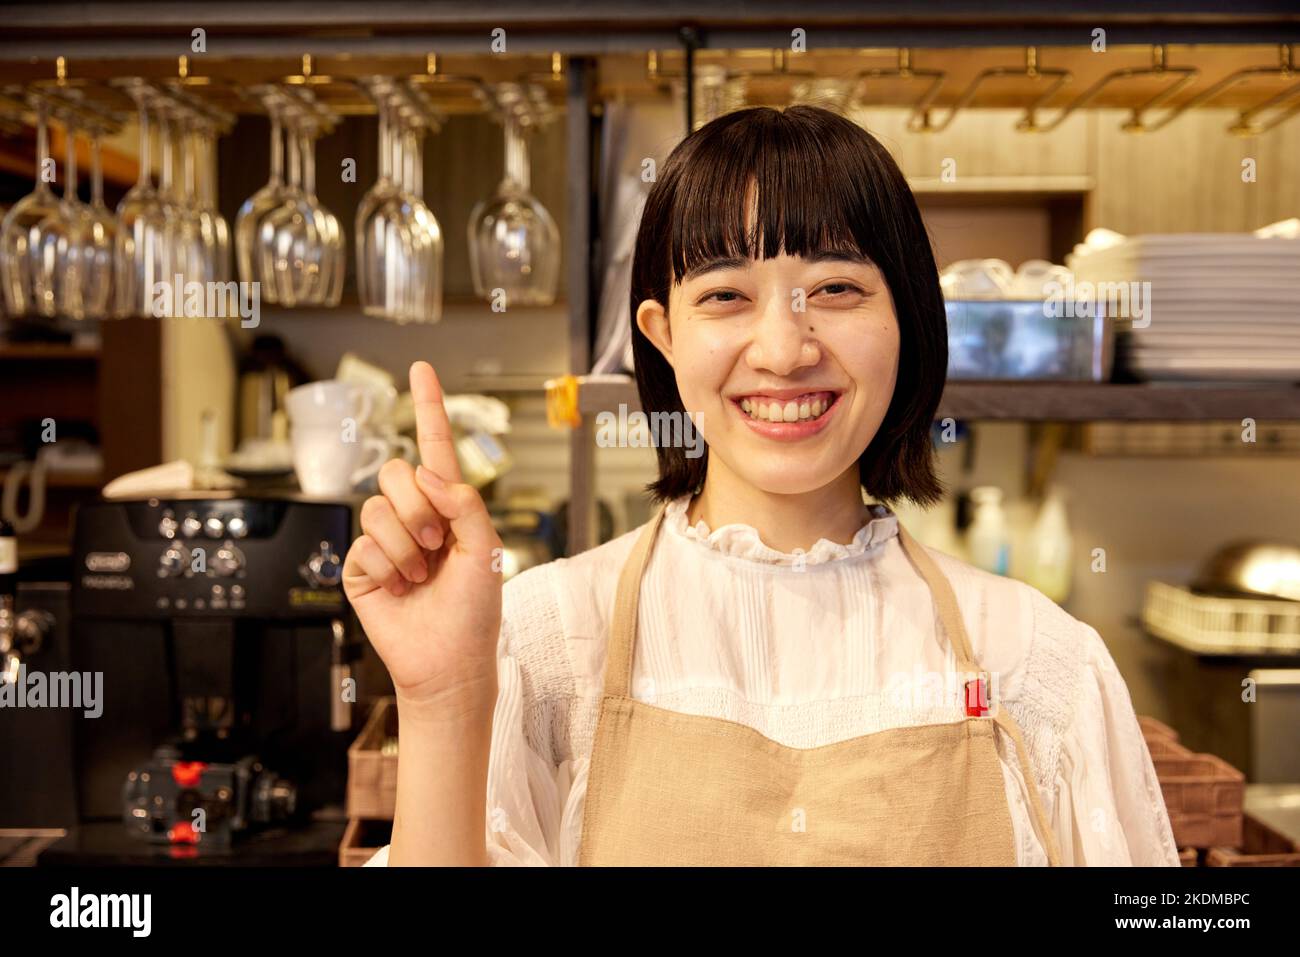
(772,670)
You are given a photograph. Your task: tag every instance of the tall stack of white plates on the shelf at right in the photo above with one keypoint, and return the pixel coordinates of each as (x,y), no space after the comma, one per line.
(1223,306)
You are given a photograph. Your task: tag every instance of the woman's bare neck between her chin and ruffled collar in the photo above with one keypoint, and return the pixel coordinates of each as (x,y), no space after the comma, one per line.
(786,523)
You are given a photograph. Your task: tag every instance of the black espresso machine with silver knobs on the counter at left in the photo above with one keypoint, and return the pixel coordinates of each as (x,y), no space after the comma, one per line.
(222,635)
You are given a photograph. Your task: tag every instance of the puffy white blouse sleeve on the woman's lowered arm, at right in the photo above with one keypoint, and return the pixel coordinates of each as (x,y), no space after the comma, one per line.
(1110,809)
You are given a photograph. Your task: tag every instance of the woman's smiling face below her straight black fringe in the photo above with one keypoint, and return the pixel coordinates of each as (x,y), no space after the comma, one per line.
(788,363)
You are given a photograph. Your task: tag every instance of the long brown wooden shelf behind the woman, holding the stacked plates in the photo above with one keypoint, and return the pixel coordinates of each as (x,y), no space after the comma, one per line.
(1063,402)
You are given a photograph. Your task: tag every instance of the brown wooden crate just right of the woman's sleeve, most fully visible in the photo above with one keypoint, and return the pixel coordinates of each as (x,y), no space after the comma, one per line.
(1204,796)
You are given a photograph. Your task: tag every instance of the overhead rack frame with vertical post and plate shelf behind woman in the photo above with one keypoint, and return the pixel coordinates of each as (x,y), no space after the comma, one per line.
(604,49)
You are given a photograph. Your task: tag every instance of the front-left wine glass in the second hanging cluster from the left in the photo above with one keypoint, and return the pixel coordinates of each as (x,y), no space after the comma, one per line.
(144,235)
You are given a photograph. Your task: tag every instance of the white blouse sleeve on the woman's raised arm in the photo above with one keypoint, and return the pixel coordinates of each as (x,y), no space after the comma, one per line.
(526,790)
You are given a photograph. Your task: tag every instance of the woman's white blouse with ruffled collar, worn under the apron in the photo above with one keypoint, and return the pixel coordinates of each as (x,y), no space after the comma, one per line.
(811,649)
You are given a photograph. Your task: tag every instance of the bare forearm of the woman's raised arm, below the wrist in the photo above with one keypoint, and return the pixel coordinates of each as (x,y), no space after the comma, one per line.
(443,783)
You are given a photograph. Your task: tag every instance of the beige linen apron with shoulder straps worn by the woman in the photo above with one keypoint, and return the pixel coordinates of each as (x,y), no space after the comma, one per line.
(671,789)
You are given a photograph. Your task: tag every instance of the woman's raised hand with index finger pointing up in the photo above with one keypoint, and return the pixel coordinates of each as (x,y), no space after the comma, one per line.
(426,577)
